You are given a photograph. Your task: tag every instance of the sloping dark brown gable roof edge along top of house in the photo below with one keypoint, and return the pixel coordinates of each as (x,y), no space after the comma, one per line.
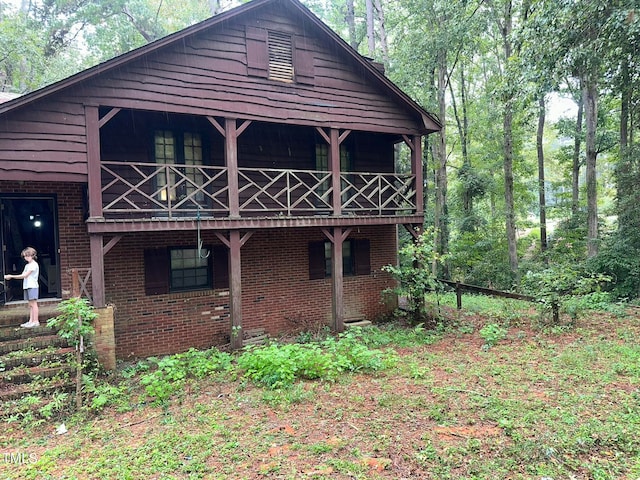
(430,122)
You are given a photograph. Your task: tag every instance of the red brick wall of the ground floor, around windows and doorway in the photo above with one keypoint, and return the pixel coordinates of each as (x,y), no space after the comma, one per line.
(277,294)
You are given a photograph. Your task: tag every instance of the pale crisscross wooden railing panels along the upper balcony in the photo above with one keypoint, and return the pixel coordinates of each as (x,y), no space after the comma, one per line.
(150,190)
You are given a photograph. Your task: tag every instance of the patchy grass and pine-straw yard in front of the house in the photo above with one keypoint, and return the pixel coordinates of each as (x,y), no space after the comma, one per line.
(561,403)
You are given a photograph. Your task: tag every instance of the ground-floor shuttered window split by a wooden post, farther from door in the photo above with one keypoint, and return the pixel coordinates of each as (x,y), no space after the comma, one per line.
(355,258)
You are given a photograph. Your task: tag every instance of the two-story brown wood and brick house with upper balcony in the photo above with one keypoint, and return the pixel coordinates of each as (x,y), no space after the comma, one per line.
(238,175)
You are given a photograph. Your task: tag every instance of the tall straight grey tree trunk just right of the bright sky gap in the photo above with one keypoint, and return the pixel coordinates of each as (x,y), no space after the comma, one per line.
(590,96)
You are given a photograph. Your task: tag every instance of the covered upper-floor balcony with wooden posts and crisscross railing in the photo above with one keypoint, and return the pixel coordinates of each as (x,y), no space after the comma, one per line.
(174,168)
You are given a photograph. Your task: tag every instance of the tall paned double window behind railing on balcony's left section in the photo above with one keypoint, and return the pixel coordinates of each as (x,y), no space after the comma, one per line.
(179,148)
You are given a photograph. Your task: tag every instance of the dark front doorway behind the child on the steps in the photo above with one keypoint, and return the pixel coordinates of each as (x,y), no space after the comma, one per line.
(29,221)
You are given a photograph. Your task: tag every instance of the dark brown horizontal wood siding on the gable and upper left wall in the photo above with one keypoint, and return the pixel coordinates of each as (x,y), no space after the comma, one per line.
(202,75)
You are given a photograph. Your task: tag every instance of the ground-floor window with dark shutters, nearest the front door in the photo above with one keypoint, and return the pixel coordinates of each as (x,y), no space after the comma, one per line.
(181,269)
